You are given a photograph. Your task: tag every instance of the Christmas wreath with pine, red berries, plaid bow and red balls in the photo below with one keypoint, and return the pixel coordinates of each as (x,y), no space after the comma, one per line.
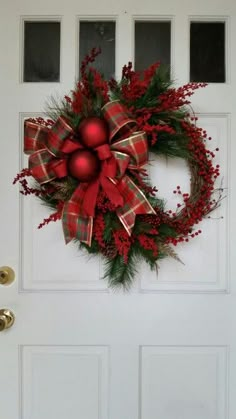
(88,162)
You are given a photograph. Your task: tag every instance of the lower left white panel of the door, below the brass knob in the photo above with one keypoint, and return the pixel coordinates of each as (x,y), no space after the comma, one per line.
(57,381)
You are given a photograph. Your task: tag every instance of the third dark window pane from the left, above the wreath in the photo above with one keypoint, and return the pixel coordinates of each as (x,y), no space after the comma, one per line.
(152,44)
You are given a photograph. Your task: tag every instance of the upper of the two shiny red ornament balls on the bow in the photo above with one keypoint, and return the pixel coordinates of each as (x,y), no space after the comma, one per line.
(94,132)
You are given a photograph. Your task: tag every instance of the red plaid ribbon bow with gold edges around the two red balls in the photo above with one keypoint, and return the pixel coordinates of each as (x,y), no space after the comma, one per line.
(49,150)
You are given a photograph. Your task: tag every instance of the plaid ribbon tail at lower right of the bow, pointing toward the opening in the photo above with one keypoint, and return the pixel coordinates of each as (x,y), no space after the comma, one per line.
(135,203)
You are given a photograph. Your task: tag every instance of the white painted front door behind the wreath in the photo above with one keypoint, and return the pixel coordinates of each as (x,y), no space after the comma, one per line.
(166,349)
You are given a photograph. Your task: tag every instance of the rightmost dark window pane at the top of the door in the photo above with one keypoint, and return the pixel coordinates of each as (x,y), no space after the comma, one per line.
(207,52)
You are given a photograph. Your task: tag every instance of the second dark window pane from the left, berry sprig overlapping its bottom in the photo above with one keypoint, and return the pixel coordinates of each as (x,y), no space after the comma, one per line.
(99,34)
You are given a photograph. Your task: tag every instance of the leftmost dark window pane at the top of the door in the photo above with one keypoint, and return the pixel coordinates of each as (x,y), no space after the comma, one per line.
(41,52)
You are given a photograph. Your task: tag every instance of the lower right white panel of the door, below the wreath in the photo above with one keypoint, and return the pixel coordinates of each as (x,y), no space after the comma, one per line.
(200,392)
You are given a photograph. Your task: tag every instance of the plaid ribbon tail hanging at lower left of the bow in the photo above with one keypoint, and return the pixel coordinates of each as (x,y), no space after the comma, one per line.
(77,225)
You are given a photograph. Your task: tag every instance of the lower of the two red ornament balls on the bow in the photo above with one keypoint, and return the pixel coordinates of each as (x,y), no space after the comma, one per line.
(84,165)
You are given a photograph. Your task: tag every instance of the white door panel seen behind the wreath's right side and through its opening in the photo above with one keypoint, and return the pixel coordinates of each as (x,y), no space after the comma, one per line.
(208,270)
